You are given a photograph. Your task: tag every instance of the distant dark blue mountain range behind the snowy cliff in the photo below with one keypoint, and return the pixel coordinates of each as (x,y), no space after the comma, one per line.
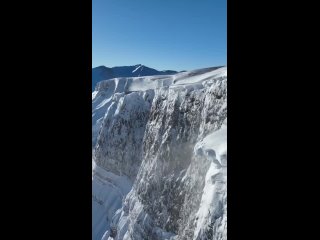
(103,73)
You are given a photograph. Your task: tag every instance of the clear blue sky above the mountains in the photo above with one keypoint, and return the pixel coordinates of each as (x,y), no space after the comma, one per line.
(162,34)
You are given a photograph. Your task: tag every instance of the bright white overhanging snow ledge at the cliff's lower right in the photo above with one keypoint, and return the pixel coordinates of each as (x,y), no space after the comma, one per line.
(214,147)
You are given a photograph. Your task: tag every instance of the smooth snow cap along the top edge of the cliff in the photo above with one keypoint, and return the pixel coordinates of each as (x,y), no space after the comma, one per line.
(108,89)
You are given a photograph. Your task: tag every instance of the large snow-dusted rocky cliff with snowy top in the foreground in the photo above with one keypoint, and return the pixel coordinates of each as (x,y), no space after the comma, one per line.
(160,157)
